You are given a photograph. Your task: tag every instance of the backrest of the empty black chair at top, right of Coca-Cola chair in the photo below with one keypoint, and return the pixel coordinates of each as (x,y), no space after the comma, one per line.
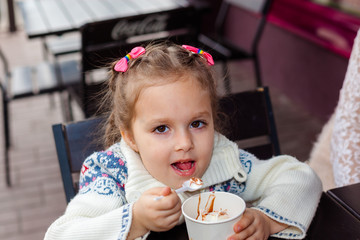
(260,8)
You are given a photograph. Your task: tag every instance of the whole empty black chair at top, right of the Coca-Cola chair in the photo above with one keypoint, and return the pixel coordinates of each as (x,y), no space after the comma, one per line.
(223,49)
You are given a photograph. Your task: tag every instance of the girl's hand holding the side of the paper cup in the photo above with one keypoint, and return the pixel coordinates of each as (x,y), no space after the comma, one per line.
(255,225)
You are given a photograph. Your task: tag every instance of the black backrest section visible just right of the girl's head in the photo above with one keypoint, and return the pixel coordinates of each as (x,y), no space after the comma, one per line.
(247,118)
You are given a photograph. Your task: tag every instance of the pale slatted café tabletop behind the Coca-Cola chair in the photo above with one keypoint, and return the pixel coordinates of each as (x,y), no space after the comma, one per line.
(55,17)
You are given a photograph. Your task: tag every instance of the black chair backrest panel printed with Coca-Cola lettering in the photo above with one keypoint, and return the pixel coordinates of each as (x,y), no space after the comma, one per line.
(107,40)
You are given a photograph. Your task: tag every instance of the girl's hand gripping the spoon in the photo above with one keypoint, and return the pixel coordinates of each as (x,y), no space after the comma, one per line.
(158,216)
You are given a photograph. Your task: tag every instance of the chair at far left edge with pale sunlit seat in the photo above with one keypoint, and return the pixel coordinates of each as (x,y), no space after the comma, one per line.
(30,81)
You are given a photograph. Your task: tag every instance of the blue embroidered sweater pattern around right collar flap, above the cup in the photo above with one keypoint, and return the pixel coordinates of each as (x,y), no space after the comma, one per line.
(232,185)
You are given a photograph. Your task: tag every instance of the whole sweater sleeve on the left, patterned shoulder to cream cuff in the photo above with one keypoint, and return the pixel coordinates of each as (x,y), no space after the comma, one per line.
(100,210)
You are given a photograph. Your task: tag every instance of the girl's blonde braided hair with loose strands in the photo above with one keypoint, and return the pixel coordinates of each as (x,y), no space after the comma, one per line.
(162,63)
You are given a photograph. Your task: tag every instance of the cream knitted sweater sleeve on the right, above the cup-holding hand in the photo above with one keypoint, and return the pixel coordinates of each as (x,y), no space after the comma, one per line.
(284,189)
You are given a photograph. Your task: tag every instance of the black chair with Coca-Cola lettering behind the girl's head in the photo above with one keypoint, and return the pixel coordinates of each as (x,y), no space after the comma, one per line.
(105,41)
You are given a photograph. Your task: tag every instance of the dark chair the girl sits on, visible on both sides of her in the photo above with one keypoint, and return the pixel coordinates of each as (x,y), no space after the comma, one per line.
(246,116)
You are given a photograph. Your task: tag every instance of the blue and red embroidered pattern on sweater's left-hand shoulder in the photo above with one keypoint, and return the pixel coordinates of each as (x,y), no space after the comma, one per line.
(105,173)
